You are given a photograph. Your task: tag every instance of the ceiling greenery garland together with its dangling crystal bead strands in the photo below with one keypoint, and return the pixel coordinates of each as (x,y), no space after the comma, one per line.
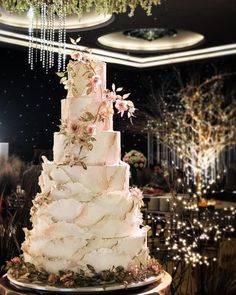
(47,23)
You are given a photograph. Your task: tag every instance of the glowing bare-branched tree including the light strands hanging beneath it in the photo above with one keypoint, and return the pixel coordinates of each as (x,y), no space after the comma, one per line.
(194,130)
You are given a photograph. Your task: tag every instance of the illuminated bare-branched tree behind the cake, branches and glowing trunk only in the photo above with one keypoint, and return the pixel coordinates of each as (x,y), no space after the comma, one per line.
(196,127)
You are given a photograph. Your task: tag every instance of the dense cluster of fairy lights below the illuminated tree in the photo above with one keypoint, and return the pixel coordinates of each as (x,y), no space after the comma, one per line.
(189,231)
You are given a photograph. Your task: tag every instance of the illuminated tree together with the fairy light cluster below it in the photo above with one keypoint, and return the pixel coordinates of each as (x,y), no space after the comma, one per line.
(194,136)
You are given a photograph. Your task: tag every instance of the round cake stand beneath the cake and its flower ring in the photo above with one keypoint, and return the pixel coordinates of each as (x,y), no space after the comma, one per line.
(154,285)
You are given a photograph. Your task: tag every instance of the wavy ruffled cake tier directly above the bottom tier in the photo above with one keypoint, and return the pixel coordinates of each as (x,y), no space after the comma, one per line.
(94,217)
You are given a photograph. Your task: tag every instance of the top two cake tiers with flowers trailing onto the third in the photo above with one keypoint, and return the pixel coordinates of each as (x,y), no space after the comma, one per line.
(88,107)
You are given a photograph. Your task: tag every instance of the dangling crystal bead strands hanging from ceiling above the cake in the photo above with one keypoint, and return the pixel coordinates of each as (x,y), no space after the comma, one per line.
(47,33)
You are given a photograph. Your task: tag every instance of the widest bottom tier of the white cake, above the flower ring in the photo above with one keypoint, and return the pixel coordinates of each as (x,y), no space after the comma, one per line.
(73,253)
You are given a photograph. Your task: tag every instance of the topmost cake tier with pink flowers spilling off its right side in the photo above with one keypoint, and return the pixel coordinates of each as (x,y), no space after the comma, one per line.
(85,78)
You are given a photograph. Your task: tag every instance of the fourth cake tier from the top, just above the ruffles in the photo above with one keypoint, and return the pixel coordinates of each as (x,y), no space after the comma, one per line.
(95,180)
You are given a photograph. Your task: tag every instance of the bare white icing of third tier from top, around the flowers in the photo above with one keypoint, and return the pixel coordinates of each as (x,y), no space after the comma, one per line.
(106,149)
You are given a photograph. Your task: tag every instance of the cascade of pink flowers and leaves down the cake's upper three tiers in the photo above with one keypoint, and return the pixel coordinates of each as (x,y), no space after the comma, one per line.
(82,130)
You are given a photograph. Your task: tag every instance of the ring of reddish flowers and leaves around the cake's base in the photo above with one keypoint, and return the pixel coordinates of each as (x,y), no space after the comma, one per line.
(26,272)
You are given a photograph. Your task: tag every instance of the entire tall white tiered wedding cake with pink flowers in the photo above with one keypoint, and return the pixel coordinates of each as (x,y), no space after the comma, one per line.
(86,214)
